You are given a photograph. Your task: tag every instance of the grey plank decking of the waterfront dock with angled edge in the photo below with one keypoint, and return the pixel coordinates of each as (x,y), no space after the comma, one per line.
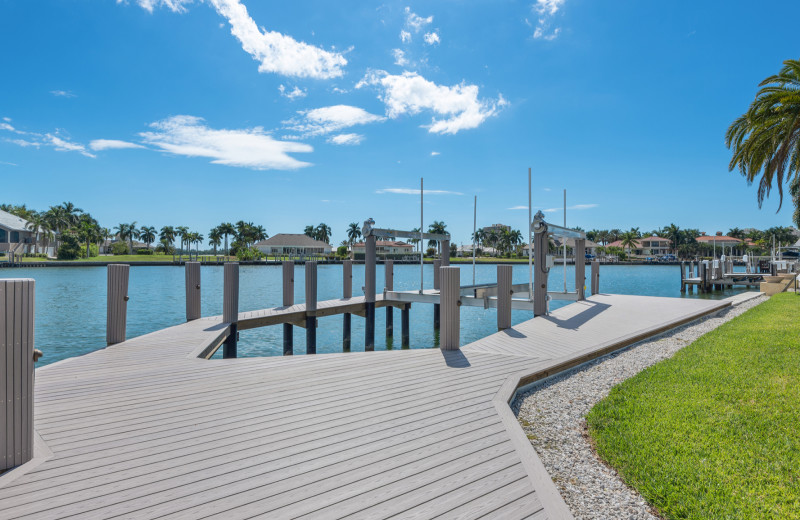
(144,429)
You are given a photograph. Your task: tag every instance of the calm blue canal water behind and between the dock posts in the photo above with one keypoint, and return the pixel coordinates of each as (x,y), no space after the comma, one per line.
(71,303)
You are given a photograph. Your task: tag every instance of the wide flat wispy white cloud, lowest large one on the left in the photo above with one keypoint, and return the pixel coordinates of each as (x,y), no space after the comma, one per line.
(249,148)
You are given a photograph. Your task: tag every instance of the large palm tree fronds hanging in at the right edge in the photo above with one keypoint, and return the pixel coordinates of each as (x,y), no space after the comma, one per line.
(766,138)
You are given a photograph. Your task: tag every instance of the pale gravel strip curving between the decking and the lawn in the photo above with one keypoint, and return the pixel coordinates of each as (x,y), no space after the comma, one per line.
(553,416)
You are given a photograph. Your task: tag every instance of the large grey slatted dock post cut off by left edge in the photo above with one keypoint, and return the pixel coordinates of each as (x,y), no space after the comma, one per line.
(16,371)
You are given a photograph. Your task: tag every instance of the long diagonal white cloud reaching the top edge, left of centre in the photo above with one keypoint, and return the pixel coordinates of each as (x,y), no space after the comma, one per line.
(278,52)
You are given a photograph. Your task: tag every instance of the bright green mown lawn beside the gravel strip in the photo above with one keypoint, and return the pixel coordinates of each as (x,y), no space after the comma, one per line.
(714,432)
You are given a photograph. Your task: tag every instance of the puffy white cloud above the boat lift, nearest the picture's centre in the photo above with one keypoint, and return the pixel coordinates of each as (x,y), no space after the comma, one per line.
(410,93)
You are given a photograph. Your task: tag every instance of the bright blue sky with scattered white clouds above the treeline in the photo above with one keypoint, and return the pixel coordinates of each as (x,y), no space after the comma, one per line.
(294,113)
